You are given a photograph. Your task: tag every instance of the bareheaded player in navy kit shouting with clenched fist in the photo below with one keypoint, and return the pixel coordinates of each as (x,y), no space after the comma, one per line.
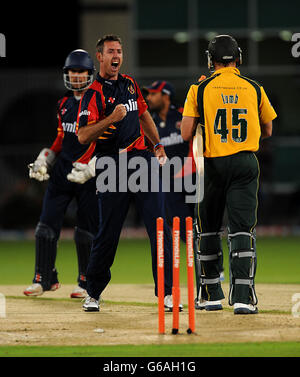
(114,113)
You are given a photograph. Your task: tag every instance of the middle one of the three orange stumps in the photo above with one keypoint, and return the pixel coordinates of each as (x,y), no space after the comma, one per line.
(176,265)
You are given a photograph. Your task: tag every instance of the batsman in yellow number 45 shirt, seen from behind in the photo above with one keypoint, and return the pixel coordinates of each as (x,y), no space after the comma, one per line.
(235,114)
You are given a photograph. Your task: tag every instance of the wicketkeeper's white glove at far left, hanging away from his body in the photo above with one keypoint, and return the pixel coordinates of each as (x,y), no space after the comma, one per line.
(40,168)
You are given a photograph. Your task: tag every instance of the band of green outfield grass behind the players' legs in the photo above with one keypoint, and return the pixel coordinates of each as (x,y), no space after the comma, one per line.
(278,261)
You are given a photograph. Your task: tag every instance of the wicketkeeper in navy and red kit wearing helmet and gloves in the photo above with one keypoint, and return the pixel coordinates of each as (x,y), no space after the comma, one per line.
(55,163)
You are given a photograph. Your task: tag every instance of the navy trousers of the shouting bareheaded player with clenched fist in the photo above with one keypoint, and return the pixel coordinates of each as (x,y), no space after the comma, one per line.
(113,208)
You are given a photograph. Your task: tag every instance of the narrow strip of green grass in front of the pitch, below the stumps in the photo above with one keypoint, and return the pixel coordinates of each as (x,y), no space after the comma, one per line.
(267,349)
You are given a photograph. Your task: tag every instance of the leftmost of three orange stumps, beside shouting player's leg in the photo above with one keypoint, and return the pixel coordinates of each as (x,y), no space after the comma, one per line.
(160,274)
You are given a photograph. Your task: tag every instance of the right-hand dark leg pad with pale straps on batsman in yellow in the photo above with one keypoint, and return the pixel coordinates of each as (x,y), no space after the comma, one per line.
(242,267)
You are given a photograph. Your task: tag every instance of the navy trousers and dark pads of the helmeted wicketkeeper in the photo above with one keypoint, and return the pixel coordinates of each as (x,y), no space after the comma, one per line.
(59,194)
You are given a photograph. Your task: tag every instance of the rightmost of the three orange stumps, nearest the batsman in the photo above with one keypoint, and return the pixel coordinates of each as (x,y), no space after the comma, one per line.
(190,273)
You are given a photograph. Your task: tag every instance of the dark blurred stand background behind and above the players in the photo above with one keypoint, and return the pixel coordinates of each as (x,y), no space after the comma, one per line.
(161,40)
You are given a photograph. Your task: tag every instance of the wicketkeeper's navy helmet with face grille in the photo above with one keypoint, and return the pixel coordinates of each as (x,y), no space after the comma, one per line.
(78,59)
